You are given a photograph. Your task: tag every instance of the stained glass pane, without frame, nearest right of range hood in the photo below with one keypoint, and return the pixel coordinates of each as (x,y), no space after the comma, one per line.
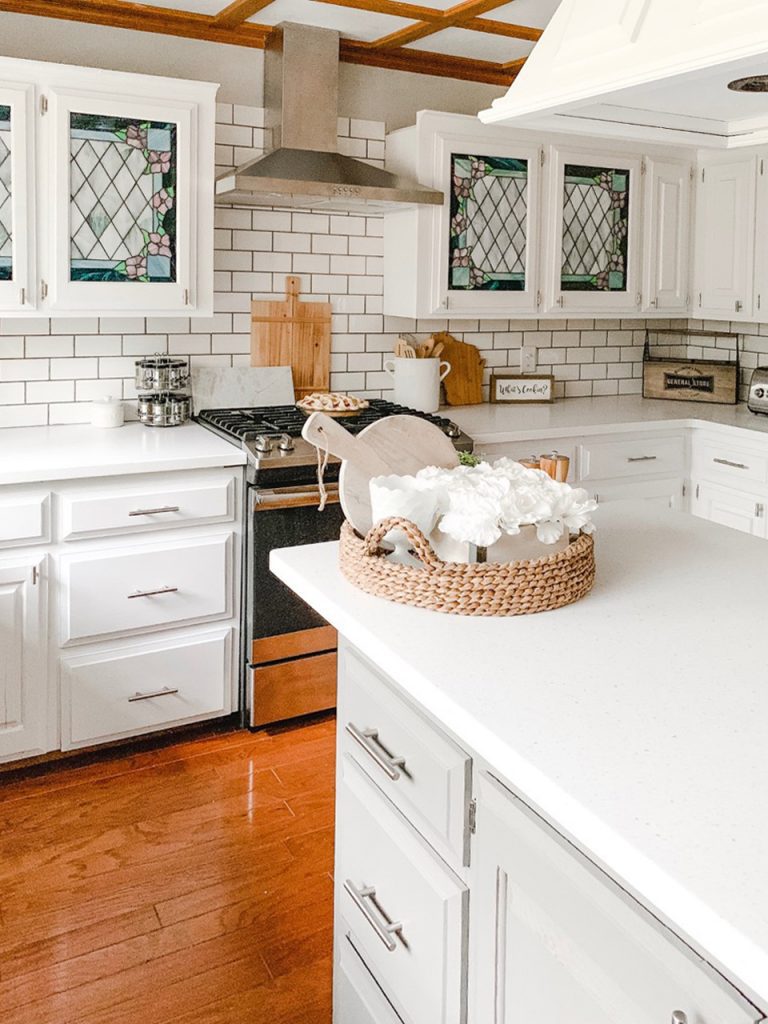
(489,219)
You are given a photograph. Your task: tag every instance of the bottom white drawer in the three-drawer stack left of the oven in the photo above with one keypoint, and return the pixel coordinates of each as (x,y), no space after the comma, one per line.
(110,695)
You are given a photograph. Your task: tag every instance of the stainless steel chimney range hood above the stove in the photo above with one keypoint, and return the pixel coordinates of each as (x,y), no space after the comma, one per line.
(306,168)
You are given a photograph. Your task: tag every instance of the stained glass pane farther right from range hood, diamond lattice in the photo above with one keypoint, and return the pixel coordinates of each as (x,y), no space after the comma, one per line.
(596,211)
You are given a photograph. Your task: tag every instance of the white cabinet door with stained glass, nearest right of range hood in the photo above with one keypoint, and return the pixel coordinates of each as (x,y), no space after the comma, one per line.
(490,228)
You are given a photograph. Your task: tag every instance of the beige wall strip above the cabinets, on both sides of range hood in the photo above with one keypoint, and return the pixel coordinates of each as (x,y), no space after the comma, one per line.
(366,93)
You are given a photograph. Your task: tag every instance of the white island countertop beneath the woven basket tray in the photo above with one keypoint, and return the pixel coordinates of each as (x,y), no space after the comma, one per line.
(635,720)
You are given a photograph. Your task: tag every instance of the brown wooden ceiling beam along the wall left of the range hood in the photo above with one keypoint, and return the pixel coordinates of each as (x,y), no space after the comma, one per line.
(142,18)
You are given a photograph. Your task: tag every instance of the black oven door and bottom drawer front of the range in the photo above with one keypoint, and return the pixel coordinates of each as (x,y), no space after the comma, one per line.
(293,650)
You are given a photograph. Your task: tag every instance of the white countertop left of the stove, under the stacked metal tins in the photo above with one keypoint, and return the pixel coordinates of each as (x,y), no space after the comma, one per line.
(38,454)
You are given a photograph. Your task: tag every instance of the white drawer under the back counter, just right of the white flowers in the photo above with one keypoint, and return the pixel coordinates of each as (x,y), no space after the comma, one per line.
(605,460)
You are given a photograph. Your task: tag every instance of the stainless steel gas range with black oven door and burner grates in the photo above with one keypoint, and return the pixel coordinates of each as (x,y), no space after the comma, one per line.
(289,653)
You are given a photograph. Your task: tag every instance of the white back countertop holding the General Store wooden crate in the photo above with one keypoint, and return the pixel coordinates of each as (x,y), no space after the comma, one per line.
(496,423)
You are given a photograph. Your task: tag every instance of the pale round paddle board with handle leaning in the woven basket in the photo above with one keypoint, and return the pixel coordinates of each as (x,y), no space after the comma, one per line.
(402,445)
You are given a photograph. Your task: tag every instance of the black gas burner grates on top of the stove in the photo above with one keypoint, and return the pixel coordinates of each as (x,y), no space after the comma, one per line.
(287,419)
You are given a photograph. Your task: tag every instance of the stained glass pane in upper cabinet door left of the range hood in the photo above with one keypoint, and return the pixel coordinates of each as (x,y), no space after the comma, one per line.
(123,199)
